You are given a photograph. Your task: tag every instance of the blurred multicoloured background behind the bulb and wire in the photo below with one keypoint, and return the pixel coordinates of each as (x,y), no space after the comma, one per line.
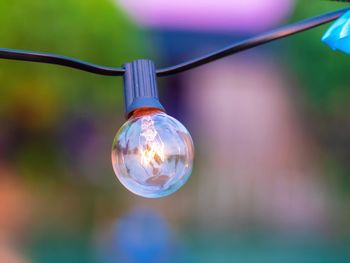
(271,126)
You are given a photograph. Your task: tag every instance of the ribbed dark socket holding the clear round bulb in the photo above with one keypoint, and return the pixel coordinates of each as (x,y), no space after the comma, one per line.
(140,86)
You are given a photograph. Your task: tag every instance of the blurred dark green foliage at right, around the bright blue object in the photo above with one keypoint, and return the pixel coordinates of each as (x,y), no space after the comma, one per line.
(322,71)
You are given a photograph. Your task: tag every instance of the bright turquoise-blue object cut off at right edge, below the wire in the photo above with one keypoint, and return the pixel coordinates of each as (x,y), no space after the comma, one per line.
(337,36)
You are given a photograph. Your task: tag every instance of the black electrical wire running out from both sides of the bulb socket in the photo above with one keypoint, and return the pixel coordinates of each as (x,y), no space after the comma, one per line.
(232,49)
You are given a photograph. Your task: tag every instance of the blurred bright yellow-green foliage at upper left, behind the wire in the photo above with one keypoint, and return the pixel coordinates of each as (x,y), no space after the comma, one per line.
(95,31)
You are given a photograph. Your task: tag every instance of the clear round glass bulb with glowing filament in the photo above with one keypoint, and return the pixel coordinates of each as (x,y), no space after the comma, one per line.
(152,154)
